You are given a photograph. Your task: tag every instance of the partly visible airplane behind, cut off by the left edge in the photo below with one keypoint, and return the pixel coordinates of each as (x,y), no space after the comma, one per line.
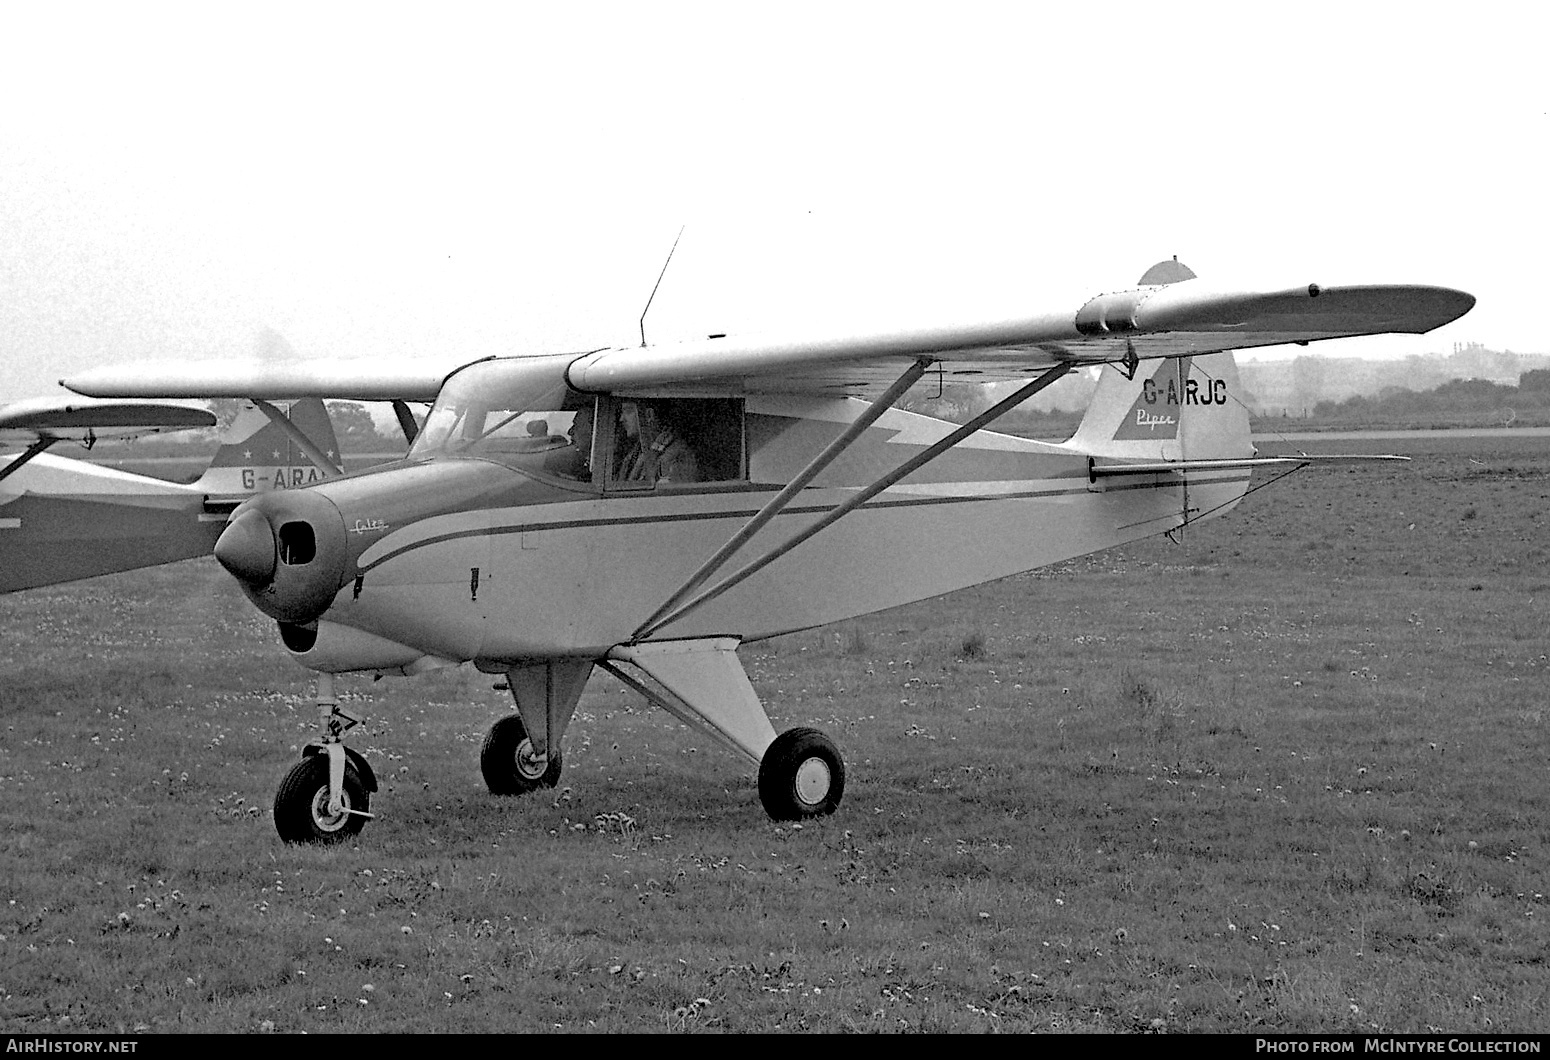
(64,518)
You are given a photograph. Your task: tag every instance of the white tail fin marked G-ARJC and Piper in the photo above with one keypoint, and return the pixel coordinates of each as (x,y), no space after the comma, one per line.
(1187,408)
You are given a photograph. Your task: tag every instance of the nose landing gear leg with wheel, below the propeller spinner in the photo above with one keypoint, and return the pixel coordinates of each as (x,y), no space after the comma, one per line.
(326,797)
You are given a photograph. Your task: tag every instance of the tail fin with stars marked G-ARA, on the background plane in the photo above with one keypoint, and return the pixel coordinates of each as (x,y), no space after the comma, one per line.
(258,456)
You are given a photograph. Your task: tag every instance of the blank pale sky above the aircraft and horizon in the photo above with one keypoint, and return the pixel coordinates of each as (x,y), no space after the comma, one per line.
(388,181)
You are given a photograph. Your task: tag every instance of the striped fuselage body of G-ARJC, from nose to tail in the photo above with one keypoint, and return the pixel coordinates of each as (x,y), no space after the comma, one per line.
(495,560)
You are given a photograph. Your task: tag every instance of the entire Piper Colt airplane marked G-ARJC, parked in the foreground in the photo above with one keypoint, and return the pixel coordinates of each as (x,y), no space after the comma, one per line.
(649,511)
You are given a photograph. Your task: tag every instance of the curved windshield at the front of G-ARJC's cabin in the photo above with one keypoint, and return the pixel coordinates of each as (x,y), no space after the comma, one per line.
(517,411)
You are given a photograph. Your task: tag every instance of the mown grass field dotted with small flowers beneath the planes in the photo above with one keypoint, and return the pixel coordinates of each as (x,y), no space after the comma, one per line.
(1286,776)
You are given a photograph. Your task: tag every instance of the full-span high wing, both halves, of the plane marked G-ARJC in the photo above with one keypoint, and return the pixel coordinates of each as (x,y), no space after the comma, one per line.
(1176,315)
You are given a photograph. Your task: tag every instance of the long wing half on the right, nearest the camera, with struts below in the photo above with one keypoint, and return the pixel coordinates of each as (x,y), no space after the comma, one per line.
(1145,323)
